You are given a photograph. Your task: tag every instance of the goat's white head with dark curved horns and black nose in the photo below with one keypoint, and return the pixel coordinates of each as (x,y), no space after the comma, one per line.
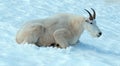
(90,24)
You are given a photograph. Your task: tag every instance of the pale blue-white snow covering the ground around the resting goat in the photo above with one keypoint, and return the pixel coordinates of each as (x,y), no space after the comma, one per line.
(103,51)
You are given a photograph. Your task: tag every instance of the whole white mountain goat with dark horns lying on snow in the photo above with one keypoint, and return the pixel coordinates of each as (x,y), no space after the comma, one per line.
(60,30)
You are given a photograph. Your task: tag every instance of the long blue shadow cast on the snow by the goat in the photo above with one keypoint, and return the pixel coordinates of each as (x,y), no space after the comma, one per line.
(87,47)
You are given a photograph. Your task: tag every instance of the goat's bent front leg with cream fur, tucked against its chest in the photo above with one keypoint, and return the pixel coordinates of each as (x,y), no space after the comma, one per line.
(62,37)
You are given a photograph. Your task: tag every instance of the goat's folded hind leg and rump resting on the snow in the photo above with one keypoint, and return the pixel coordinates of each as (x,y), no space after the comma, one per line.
(30,35)
